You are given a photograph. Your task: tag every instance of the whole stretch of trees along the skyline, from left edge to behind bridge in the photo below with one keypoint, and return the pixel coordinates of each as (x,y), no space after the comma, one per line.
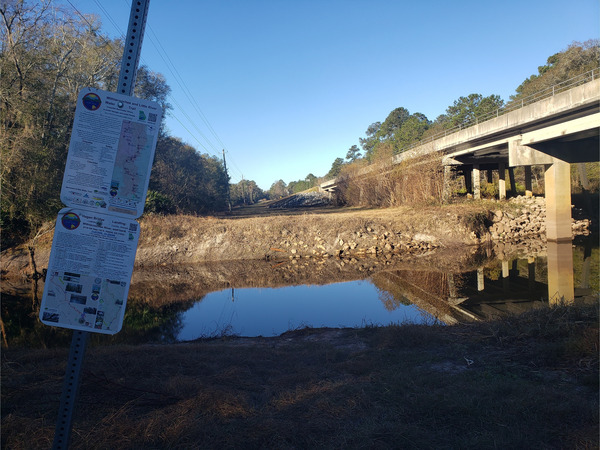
(48,53)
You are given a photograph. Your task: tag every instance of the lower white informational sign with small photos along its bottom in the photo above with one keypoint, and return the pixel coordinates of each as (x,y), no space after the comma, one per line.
(89,271)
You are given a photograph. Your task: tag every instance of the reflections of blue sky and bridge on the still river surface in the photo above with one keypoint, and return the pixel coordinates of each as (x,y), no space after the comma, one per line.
(492,289)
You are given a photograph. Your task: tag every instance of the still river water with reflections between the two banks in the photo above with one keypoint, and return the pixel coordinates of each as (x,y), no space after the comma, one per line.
(263,298)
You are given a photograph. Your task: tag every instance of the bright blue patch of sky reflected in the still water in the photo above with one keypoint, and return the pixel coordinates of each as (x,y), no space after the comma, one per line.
(273,311)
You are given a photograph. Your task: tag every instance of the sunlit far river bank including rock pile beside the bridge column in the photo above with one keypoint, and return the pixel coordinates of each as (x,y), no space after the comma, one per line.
(512,227)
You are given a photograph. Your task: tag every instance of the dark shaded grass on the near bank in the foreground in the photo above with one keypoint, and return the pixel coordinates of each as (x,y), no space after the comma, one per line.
(524,382)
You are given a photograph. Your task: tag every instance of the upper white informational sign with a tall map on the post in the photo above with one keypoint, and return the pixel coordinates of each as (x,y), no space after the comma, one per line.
(111,153)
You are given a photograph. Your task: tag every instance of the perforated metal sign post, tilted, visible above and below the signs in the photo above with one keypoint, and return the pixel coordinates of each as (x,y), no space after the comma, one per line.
(129,64)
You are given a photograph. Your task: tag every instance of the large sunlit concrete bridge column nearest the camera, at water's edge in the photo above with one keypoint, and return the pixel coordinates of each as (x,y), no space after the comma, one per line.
(557,185)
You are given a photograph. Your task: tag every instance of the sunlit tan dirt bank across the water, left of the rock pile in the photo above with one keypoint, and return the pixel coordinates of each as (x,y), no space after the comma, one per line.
(279,236)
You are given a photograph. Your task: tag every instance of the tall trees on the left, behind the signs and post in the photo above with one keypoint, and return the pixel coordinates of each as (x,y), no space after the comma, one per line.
(47,54)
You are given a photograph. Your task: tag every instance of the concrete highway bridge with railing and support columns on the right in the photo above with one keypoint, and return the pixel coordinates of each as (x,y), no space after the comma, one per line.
(554,132)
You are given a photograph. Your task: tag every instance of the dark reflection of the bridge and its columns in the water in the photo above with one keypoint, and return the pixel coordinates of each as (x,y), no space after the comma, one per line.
(489,292)
